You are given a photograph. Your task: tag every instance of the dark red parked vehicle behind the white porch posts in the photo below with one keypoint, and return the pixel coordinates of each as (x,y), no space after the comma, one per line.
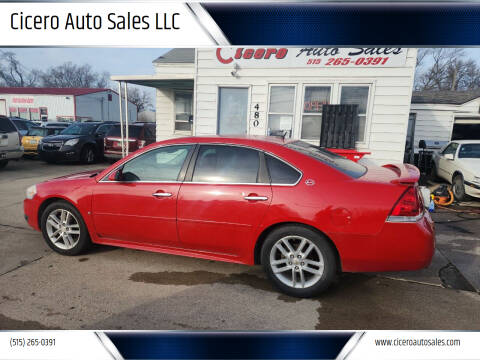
(139,135)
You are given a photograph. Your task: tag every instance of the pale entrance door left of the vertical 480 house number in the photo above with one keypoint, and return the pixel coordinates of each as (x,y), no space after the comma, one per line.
(232,111)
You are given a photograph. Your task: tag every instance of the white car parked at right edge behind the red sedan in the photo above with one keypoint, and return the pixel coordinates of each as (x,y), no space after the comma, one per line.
(459,164)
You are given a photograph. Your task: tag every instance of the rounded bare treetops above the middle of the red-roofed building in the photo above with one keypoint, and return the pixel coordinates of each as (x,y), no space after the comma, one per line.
(69,75)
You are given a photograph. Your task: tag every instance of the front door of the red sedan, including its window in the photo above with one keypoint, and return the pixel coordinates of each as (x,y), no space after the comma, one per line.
(140,206)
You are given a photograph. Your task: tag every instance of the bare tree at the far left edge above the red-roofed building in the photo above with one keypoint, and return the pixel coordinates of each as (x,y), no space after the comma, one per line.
(14,74)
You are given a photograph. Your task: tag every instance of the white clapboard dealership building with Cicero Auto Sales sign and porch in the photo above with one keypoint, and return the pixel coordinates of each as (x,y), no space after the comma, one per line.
(258,91)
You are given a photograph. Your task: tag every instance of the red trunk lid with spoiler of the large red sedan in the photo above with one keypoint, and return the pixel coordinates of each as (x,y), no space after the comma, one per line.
(404,174)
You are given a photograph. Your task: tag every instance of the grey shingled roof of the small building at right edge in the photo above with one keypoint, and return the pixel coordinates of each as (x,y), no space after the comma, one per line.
(444,97)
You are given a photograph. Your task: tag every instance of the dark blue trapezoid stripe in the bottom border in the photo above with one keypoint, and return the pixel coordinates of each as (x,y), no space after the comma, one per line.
(230,345)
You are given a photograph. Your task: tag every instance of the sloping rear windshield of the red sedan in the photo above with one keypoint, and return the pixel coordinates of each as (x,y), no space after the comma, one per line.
(338,162)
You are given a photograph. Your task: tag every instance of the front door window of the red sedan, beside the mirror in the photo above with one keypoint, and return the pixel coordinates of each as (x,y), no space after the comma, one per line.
(162,164)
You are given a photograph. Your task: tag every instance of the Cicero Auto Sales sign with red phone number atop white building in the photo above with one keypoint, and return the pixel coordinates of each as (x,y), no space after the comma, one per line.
(258,57)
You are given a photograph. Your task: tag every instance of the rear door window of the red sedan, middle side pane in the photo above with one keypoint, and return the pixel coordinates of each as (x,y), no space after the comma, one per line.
(226,164)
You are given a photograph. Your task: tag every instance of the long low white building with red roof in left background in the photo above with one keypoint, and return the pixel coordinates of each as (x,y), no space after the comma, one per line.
(63,104)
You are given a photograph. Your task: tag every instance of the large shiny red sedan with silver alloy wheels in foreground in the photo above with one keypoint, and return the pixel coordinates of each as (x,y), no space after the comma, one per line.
(302,212)
